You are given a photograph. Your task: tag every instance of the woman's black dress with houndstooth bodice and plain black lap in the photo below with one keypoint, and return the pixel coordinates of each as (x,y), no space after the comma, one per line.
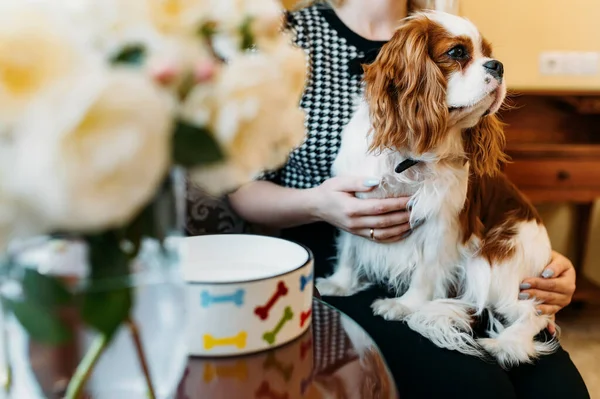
(421,369)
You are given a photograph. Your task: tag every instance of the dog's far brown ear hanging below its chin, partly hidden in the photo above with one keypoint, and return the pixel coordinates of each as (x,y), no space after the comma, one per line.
(484,146)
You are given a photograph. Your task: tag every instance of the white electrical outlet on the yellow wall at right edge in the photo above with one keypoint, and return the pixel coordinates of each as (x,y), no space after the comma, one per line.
(572,63)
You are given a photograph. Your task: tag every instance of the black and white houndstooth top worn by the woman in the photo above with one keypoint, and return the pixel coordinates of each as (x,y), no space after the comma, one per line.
(334,82)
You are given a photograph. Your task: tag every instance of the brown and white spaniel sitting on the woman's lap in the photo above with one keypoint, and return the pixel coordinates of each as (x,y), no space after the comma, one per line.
(431,95)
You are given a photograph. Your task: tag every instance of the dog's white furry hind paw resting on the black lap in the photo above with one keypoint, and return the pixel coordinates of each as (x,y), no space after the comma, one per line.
(509,352)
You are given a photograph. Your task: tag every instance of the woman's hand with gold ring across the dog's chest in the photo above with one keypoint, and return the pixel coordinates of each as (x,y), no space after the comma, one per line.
(335,202)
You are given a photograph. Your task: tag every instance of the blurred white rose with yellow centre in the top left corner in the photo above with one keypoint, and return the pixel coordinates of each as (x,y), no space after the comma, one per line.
(37,50)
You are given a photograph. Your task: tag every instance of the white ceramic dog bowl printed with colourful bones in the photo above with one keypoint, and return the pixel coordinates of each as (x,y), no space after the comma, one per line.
(245,293)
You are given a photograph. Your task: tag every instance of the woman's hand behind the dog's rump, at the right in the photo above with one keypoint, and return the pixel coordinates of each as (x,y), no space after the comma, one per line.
(555,288)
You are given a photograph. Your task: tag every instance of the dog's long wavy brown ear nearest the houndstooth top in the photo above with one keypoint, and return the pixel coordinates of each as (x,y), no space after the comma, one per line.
(406,92)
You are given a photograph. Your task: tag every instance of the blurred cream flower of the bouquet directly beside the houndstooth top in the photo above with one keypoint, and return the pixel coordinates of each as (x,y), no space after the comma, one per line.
(253,109)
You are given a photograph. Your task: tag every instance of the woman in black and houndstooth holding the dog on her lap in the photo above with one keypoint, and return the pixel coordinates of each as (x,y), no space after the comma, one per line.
(302,199)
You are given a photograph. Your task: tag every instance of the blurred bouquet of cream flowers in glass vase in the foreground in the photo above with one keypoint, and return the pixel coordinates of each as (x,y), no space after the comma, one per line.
(102,104)
